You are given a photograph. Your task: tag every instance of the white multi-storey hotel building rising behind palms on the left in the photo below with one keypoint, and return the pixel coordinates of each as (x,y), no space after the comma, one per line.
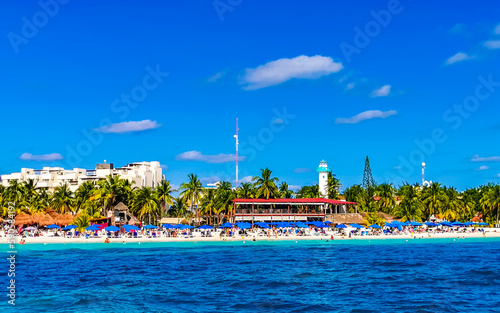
(140,174)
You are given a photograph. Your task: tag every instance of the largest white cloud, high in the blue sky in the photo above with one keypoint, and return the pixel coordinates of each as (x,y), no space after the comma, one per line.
(282,70)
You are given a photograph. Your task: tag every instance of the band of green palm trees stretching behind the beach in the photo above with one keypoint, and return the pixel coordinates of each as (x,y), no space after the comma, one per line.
(93,200)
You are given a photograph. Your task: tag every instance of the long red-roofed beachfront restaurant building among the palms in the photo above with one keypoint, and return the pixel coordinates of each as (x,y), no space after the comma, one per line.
(303,209)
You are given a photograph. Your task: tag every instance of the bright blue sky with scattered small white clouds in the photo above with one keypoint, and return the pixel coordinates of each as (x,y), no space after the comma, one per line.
(308,80)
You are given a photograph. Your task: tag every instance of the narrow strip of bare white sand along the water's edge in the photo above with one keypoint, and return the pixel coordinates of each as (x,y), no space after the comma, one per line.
(62,240)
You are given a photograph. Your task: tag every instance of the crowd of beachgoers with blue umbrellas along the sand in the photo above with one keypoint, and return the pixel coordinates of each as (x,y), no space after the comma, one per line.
(256,230)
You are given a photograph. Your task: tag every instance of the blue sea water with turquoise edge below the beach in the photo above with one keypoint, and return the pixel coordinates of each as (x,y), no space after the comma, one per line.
(421,275)
